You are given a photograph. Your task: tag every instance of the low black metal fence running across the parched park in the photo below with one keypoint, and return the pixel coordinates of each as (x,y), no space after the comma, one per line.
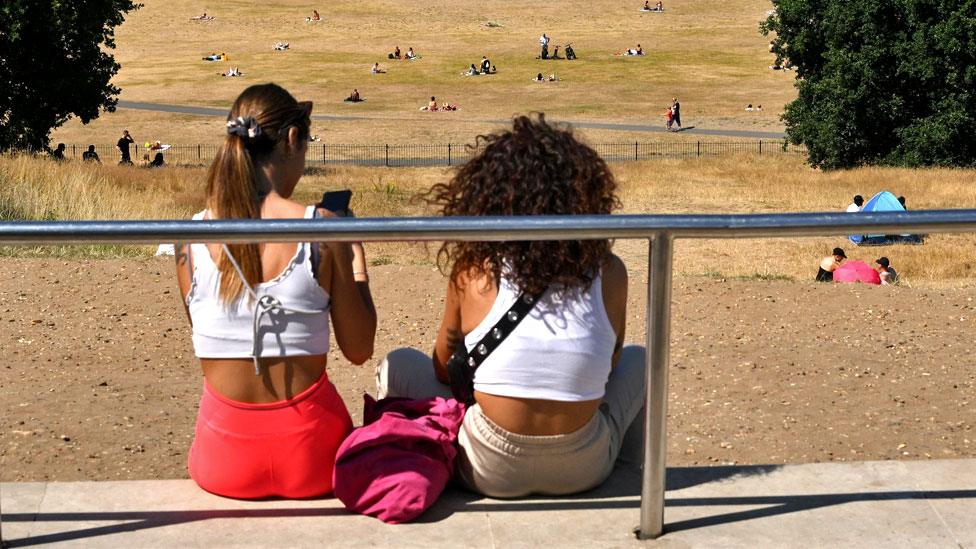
(449,154)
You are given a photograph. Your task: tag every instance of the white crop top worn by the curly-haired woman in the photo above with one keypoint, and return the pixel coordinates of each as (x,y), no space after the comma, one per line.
(561,351)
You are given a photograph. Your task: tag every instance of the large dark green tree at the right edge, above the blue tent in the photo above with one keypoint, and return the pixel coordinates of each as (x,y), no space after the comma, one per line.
(889,82)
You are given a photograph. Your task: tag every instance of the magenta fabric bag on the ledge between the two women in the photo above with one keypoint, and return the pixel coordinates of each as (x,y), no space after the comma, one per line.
(396,465)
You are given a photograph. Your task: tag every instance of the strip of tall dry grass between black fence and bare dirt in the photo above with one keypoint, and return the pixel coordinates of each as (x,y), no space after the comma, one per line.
(33,188)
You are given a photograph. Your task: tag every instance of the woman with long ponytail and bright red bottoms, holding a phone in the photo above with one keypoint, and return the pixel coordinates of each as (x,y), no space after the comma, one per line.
(270,421)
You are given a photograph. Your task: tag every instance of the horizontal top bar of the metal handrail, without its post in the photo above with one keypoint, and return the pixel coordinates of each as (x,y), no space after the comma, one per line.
(485,228)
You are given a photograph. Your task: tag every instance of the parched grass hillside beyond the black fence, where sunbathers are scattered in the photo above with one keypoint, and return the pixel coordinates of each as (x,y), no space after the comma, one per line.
(707,52)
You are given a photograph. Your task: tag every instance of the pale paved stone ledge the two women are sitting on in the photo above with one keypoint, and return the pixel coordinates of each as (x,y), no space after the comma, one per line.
(869,504)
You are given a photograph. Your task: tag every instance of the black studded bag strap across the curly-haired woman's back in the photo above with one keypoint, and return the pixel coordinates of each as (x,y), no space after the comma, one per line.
(462,364)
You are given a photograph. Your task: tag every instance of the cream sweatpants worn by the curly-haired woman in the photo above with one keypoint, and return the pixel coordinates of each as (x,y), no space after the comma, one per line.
(499,463)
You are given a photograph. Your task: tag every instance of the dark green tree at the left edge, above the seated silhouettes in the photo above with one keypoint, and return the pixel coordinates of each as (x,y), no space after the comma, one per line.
(55,64)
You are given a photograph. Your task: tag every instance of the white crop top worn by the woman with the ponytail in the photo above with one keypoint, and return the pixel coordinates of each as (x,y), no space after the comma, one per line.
(289,317)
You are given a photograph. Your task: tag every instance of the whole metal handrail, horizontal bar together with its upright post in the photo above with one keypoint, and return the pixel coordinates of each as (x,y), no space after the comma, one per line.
(659,230)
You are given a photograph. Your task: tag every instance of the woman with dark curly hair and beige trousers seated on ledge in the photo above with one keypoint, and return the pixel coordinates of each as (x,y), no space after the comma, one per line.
(555,398)
